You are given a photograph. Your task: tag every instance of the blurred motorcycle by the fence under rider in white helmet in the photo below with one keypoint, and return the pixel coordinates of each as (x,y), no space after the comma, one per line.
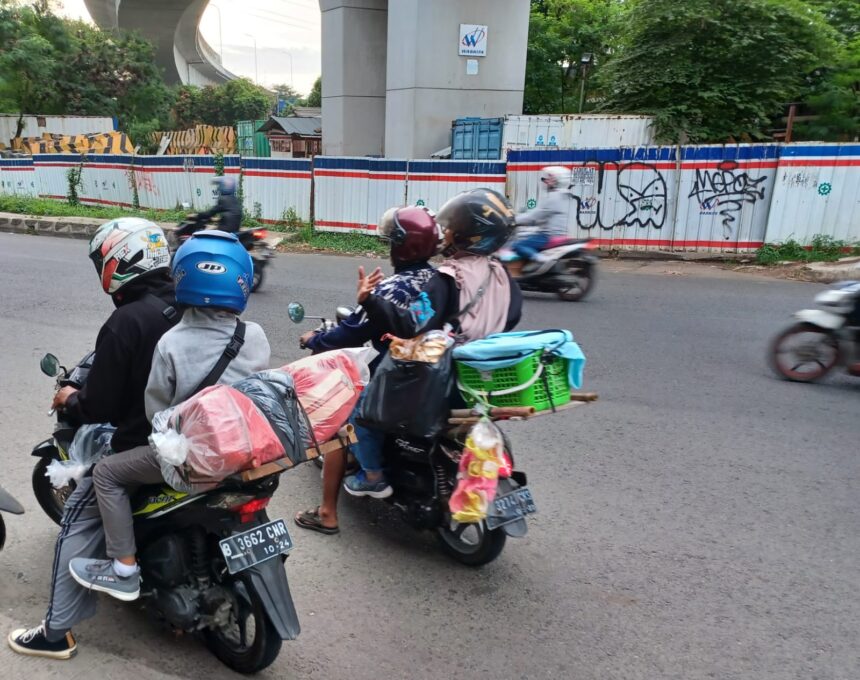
(569,271)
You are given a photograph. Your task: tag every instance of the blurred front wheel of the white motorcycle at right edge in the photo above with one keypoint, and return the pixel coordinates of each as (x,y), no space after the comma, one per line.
(804,352)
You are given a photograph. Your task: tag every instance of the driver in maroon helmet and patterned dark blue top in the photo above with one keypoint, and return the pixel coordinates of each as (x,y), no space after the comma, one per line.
(414,238)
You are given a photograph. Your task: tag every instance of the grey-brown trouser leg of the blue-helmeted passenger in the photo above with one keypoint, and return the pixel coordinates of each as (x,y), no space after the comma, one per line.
(115,478)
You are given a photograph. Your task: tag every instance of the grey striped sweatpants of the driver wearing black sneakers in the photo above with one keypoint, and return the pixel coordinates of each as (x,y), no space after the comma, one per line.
(81,535)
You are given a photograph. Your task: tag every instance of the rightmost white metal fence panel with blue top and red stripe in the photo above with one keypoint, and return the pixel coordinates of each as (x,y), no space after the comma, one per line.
(817,191)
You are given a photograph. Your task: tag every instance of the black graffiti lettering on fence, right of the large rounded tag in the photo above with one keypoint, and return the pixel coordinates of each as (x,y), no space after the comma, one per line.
(724,191)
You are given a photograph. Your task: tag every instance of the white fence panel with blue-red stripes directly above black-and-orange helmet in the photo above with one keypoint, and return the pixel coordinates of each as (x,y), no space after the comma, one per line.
(432,183)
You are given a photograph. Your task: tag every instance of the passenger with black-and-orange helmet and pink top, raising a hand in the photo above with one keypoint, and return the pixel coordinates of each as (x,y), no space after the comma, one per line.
(471,291)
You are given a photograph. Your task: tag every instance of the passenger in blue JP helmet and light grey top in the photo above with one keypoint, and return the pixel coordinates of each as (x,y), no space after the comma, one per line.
(183,363)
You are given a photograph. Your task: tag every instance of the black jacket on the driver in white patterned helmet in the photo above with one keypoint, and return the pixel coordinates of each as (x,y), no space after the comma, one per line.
(117,380)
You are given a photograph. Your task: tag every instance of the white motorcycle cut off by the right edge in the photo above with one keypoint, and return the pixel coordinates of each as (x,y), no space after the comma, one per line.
(821,339)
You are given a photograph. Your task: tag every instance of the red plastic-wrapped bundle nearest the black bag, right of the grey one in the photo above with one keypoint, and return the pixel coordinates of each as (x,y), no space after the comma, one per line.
(328,386)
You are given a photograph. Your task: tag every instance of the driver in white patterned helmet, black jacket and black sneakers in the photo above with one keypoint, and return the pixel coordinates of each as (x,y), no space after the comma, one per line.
(132,260)
